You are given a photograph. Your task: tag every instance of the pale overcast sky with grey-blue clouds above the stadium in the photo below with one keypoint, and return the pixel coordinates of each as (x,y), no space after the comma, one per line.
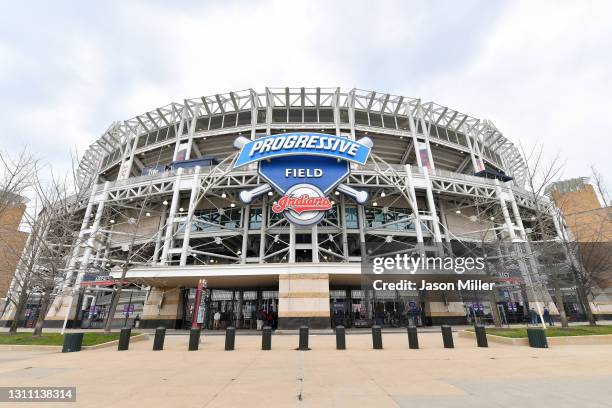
(539,70)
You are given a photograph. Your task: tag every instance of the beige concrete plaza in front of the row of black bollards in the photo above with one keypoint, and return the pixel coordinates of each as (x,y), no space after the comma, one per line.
(498,376)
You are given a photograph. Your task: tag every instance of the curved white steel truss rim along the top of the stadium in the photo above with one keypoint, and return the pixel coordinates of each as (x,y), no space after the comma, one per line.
(482,134)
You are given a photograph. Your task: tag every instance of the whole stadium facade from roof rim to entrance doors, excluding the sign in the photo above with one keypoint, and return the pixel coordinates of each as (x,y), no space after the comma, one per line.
(165,183)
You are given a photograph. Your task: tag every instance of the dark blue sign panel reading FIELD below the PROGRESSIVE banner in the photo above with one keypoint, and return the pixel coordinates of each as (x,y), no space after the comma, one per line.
(320,171)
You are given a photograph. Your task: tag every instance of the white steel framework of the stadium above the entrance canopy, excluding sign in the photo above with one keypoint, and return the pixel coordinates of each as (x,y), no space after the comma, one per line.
(423,163)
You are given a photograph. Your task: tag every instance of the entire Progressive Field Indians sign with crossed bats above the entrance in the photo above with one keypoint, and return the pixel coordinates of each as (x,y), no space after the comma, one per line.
(304,168)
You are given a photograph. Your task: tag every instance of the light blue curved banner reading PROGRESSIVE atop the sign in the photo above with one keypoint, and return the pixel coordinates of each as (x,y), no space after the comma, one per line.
(288,144)
